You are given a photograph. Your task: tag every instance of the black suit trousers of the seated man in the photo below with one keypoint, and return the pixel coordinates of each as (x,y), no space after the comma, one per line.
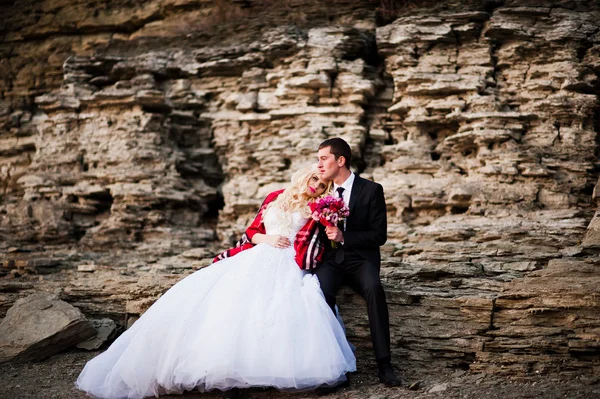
(363,277)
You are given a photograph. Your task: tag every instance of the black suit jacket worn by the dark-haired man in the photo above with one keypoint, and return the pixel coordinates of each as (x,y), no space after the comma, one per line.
(366,227)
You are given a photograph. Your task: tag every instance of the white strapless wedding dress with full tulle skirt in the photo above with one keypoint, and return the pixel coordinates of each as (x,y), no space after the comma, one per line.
(254,319)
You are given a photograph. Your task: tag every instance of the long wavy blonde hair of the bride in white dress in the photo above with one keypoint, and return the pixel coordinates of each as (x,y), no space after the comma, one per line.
(294,198)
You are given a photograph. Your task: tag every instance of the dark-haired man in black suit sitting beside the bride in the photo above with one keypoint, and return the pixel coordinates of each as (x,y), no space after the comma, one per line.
(357,260)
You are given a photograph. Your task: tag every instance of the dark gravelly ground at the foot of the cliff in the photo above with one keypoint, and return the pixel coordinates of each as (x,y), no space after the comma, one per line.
(54,379)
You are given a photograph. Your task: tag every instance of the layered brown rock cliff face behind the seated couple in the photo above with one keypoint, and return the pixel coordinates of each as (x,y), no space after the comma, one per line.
(140,137)
